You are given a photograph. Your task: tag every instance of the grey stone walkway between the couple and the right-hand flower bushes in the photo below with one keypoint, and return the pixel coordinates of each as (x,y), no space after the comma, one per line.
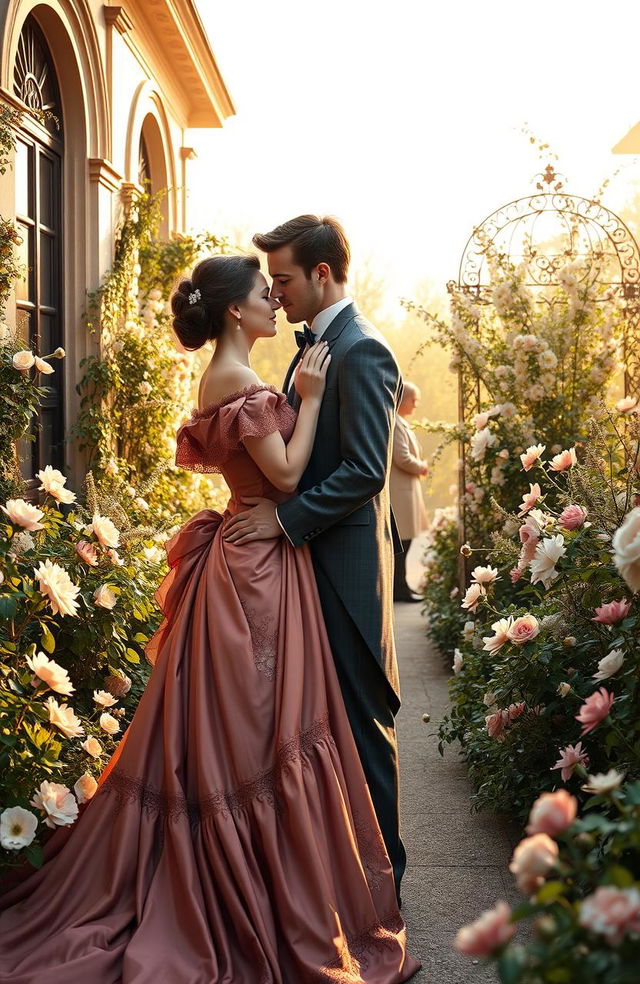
(457,860)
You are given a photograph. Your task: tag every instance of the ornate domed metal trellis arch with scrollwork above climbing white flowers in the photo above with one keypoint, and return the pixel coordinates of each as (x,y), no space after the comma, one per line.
(544,231)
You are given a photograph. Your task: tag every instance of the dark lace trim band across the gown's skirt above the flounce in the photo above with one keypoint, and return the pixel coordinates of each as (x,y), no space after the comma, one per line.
(266,785)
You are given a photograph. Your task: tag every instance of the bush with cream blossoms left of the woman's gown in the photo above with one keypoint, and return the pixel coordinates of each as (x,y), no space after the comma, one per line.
(76,612)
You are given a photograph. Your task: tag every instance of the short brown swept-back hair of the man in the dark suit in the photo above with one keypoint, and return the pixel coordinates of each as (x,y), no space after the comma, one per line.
(314,239)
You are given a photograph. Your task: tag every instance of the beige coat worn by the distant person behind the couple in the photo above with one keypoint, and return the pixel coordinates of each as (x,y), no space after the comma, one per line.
(404,482)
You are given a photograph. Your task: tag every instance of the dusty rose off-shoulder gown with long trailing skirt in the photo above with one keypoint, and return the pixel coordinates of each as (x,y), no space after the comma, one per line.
(232,839)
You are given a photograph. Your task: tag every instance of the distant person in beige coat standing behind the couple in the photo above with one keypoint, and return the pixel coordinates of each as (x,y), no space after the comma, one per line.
(407,468)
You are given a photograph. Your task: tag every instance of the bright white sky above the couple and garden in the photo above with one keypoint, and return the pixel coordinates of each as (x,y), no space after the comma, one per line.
(402,118)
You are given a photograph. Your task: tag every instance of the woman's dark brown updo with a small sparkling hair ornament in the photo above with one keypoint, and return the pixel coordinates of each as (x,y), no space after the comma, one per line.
(199,305)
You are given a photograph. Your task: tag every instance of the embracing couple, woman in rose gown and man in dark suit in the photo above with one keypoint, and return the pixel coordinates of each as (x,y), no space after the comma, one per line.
(246,829)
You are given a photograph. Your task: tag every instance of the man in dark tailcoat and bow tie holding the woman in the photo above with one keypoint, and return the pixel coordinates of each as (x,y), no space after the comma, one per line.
(342,510)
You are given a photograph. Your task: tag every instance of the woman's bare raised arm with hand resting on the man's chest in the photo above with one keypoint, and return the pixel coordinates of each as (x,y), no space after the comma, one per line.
(283,464)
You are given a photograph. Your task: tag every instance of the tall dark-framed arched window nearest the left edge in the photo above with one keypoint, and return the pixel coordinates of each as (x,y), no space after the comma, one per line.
(38,177)
